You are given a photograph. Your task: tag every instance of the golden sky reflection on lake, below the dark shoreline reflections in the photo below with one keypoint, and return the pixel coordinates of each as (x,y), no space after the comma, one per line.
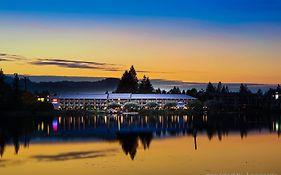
(257,153)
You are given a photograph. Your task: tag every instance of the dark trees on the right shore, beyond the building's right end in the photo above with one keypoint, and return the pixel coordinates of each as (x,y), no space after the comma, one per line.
(220,98)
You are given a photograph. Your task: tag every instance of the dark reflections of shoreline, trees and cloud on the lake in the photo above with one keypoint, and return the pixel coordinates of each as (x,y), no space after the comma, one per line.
(129,131)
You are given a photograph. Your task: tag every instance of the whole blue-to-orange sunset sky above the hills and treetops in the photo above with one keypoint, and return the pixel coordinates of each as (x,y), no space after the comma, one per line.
(194,41)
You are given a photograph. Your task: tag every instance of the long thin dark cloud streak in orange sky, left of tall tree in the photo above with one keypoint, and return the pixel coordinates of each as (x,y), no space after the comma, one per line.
(77,64)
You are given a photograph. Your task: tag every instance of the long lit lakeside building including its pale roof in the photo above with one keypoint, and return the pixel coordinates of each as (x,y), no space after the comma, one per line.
(102,101)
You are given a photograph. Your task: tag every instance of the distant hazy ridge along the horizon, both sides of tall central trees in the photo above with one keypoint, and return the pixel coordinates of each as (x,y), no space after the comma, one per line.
(61,84)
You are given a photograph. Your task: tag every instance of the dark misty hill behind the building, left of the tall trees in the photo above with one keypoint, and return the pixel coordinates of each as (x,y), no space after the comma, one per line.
(101,86)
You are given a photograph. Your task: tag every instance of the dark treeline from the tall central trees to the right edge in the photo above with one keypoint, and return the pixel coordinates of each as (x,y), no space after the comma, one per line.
(215,98)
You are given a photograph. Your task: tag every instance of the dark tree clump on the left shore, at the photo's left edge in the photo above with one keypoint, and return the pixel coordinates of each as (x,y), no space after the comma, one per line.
(14,98)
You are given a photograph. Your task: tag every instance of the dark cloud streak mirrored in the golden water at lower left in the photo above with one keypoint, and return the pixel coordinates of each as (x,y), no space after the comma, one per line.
(74,155)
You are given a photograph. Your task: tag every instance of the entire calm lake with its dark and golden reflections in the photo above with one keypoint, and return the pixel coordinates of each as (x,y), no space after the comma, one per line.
(141,145)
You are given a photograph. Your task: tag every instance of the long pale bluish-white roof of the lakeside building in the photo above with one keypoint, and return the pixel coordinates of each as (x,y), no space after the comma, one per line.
(125,96)
